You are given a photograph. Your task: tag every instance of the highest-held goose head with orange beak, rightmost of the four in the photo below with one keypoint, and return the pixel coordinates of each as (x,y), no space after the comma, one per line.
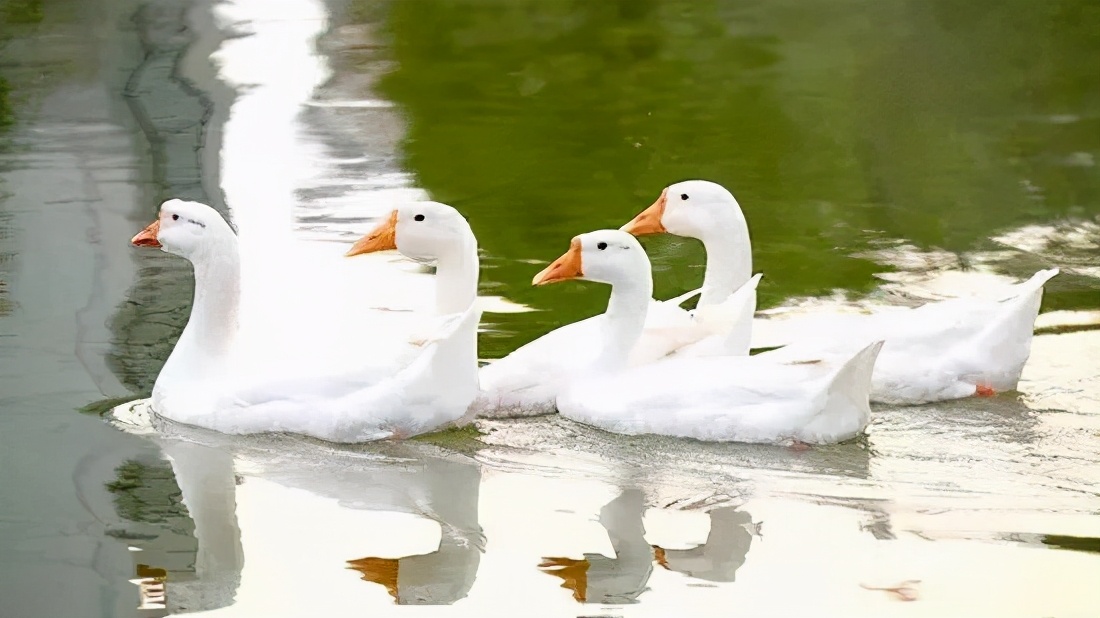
(692,208)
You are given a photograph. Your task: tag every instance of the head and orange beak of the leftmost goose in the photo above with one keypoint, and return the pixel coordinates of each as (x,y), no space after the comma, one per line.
(185,229)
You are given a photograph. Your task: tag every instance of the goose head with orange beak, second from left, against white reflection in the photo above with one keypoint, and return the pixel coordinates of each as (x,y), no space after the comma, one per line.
(424,231)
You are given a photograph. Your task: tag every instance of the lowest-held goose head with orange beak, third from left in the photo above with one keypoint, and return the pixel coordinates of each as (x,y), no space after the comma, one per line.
(608,257)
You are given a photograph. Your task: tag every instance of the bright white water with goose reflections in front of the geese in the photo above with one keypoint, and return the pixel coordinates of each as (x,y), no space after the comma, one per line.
(293,527)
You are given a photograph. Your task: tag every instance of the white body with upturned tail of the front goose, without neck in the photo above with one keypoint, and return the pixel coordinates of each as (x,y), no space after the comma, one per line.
(731,400)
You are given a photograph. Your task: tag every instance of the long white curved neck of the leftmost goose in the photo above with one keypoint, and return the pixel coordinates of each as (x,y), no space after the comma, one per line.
(212,329)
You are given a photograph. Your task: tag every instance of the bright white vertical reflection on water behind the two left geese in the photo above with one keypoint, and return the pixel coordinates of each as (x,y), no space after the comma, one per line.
(304,174)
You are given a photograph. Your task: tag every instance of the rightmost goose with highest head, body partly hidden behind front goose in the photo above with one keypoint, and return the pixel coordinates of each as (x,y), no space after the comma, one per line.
(947,350)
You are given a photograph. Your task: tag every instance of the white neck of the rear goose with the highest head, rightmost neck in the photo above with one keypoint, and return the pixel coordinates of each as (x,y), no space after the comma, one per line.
(729,257)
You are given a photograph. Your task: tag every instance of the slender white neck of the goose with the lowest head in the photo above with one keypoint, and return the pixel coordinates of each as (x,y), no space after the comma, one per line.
(624,321)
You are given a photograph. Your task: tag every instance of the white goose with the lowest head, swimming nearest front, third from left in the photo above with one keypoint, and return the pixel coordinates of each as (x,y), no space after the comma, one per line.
(720,399)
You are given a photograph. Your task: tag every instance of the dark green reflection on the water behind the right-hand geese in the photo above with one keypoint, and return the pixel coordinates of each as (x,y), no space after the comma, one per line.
(835,125)
